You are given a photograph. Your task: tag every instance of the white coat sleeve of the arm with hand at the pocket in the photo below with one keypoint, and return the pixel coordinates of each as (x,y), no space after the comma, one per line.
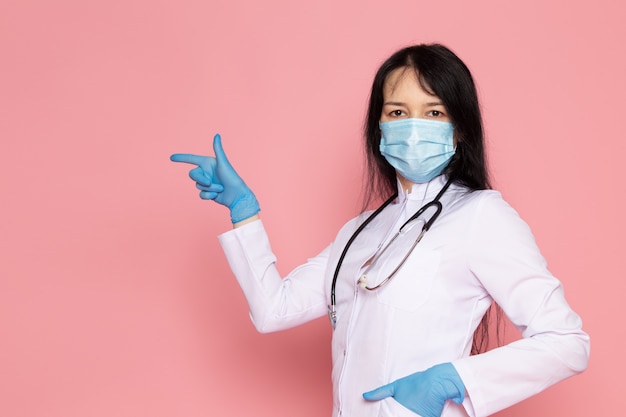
(505,260)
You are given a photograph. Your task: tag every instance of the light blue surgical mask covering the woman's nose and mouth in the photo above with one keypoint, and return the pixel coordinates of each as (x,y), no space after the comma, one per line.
(419,149)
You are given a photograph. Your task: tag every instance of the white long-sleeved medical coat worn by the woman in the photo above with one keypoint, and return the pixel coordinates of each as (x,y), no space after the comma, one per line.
(478,250)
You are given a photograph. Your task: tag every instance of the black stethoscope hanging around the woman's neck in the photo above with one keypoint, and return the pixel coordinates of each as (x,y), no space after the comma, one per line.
(332,313)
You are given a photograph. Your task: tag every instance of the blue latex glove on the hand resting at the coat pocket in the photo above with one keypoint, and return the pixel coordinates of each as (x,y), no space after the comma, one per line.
(424,393)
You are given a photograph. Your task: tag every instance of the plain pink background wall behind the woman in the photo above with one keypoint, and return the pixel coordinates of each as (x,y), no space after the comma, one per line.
(115,298)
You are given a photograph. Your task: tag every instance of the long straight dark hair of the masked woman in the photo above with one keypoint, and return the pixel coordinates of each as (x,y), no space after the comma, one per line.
(441,73)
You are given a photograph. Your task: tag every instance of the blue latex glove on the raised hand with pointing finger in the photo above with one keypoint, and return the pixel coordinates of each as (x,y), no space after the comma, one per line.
(217,180)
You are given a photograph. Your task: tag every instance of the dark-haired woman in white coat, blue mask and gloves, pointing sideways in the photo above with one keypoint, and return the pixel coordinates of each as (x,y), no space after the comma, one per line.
(406,286)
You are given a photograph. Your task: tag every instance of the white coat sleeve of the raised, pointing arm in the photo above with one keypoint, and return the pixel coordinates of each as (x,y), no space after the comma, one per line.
(275,303)
